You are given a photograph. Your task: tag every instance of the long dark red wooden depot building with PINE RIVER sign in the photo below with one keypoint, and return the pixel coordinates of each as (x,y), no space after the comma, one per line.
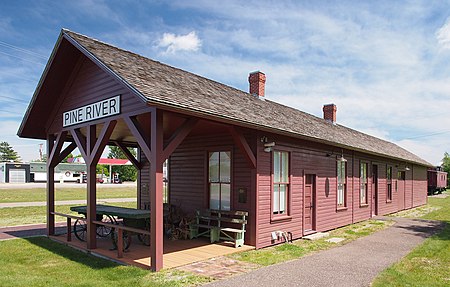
(226,149)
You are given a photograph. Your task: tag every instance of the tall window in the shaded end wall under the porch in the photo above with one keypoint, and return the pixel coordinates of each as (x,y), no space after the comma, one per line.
(219,167)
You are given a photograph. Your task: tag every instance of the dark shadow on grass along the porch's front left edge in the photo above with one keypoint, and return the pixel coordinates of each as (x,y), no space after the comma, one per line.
(70,253)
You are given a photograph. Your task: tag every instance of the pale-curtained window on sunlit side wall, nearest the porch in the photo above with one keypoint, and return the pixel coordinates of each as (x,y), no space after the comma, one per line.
(280,182)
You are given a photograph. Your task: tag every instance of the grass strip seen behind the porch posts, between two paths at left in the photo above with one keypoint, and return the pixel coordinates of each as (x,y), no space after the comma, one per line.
(12,216)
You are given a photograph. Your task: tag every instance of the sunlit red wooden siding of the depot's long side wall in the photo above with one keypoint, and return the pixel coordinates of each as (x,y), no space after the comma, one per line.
(311,159)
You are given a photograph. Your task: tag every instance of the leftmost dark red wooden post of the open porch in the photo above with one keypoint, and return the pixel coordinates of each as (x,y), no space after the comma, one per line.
(50,188)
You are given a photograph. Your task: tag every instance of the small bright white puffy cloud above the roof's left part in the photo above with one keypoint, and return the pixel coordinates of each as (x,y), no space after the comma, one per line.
(174,43)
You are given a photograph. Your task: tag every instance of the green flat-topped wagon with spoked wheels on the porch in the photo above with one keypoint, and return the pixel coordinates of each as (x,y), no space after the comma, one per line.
(130,217)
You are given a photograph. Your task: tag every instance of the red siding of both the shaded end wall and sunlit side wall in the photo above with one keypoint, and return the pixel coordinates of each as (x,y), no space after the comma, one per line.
(189,188)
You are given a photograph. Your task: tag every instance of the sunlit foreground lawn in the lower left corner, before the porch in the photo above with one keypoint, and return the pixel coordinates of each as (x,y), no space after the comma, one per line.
(39,261)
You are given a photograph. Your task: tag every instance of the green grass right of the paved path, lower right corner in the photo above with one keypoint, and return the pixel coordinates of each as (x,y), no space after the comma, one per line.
(429,263)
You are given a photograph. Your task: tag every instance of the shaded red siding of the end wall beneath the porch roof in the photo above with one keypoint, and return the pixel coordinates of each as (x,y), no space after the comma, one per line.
(188,187)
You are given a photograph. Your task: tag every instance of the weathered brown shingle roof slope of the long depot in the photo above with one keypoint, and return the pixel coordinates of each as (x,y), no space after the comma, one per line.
(169,86)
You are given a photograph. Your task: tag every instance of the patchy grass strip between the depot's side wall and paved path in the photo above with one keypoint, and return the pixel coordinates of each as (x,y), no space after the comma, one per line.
(283,252)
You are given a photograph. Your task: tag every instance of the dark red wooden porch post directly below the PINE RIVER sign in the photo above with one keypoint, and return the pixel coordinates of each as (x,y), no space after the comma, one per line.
(91,189)
